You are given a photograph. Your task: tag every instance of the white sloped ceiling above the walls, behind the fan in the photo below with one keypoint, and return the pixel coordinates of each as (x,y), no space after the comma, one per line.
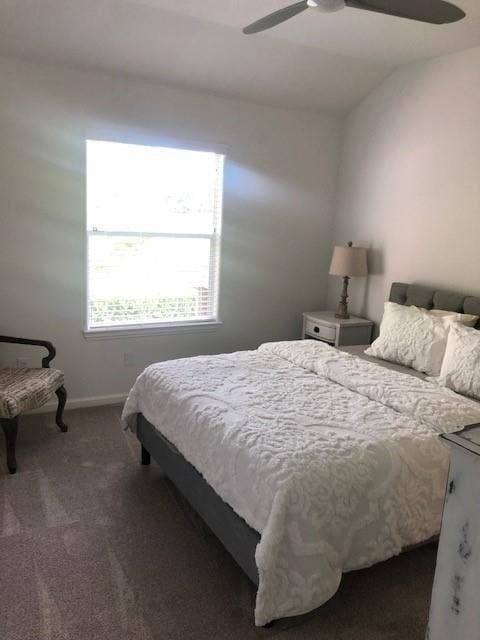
(314,61)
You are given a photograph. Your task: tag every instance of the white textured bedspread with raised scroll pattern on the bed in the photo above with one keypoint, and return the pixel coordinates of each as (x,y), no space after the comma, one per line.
(334,460)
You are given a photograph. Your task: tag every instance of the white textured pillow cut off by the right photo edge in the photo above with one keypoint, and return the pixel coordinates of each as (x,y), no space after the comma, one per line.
(461,364)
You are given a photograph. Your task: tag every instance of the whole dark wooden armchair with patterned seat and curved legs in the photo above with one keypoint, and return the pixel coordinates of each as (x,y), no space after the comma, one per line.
(26,389)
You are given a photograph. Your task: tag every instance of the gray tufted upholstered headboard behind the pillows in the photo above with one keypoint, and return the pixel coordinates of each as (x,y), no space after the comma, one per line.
(430,298)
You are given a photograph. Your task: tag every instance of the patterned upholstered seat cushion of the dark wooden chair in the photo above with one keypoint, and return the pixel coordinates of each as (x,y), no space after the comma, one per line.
(25,389)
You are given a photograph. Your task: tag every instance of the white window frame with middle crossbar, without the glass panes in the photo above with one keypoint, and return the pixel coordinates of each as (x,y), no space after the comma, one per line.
(137,329)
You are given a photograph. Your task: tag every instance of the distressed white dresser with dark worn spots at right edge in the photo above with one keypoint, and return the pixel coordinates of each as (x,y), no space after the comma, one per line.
(455,606)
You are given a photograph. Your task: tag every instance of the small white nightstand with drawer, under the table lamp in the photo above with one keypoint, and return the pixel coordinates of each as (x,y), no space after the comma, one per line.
(324,326)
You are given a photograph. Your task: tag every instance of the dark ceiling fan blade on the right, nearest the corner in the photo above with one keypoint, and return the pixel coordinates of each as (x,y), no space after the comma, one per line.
(432,11)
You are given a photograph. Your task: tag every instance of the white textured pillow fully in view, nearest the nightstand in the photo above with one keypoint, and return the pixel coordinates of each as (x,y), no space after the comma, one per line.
(412,337)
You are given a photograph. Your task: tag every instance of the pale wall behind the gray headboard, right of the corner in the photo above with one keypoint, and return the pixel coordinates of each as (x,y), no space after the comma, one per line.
(409,183)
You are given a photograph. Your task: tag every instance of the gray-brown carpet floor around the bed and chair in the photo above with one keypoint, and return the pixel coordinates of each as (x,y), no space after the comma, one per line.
(94,546)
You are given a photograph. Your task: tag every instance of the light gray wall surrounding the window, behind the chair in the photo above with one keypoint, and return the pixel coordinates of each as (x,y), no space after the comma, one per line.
(279,196)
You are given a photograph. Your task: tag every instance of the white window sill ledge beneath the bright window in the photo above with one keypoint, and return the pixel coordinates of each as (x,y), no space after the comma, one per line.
(138,331)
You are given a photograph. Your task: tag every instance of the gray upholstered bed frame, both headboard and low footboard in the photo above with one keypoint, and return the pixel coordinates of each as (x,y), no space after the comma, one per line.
(238,538)
